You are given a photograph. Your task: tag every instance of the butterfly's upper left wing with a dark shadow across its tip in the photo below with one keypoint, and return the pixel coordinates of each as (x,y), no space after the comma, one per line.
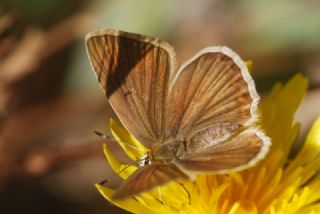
(134,71)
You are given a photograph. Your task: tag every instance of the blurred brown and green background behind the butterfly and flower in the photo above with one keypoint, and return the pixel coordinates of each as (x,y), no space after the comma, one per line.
(51,103)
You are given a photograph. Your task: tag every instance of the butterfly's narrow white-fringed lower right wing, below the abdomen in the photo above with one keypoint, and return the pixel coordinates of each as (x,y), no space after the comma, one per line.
(239,152)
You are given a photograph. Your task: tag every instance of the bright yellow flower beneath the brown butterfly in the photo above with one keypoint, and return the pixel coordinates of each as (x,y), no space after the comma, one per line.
(281,183)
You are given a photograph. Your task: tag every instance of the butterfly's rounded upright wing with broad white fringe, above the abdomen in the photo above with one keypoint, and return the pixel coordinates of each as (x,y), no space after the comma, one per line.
(211,90)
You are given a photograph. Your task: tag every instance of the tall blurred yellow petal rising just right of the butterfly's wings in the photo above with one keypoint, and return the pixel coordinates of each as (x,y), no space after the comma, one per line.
(278,114)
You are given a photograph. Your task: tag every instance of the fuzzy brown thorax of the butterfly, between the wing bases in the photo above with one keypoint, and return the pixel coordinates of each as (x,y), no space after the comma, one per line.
(168,151)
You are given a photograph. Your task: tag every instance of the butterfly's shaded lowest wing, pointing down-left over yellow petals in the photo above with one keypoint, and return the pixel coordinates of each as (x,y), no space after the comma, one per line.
(148,177)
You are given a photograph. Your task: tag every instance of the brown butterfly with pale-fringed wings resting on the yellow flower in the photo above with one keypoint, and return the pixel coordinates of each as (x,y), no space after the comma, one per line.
(198,118)
